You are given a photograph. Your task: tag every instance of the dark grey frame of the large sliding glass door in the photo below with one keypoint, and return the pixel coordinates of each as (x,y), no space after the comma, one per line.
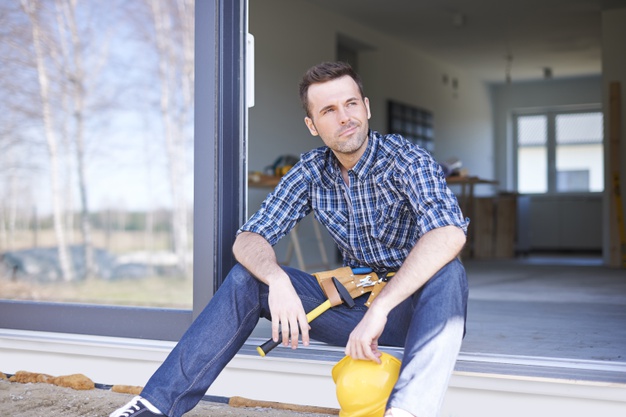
(219,191)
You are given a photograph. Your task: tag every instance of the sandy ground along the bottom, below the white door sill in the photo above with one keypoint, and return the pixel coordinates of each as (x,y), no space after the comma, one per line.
(43,399)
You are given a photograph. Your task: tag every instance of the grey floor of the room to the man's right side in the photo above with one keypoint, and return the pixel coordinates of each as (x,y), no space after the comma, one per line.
(546,316)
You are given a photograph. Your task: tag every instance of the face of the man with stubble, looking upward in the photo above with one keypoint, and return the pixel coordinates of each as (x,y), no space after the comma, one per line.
(339,115)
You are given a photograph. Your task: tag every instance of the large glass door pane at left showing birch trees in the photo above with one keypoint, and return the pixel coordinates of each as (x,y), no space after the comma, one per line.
(96,152)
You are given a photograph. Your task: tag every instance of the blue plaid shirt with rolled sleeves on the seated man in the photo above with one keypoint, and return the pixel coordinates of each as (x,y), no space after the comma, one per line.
(397,193)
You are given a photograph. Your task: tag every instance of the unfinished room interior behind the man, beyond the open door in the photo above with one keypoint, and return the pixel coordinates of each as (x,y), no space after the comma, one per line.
(539,260)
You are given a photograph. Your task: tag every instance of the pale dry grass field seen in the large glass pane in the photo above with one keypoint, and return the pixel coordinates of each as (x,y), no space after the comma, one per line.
(148,290)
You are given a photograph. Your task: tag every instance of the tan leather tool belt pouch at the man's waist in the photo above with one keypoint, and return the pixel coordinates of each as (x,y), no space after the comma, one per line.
(353,283)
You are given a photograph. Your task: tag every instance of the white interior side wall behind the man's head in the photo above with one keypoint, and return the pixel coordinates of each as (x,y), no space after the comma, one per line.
(292,35)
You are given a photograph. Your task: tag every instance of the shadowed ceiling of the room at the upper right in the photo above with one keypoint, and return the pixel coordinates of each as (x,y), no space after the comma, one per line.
(493,39)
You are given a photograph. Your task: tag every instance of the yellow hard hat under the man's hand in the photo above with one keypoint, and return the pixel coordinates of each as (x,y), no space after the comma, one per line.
(364,386)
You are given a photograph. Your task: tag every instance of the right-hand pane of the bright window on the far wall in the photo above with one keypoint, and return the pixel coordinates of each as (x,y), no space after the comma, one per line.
(579,152)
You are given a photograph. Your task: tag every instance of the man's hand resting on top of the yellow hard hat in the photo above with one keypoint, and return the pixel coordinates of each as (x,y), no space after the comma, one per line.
(363,341)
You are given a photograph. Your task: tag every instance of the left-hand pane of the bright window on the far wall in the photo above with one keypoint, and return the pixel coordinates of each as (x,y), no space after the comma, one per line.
(532,168)
